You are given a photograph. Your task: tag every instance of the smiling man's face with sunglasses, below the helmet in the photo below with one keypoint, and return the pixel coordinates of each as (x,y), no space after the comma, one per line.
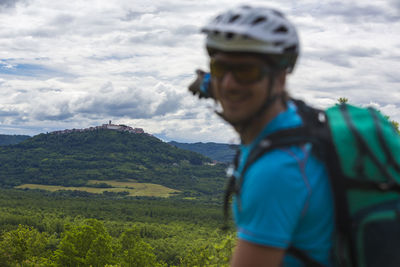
(239,96)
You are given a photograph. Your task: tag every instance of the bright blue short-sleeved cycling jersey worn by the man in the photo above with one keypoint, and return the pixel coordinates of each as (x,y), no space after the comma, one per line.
(286,199)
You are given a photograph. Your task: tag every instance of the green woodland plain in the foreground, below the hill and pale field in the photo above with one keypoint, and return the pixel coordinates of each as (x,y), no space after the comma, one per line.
(39,228)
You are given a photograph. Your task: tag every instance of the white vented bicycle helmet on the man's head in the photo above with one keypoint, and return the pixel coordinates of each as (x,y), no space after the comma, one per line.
(256,30)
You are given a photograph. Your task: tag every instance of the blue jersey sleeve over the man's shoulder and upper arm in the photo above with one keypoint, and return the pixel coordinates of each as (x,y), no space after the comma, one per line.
(272,199)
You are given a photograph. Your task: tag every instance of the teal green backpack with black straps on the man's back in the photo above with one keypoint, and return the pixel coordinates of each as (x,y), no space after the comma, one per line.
(362,152)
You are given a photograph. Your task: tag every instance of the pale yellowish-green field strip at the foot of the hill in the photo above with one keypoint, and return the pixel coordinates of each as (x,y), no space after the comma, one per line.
(132,187)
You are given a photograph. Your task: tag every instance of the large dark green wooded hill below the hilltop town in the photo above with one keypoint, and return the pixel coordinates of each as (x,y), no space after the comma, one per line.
(75,158)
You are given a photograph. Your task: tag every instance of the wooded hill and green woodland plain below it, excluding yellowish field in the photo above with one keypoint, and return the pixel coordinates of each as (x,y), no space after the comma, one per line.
(79,228)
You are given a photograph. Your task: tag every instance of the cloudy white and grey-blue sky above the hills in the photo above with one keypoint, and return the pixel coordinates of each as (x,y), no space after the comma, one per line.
(76,64)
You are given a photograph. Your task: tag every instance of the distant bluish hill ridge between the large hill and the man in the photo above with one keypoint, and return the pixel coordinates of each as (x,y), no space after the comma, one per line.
(215,151)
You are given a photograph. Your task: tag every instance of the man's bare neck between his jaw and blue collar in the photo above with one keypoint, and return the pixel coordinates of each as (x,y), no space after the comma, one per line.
(251,132)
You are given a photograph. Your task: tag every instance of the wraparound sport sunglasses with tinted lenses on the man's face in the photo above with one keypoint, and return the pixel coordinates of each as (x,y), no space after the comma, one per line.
(243,73)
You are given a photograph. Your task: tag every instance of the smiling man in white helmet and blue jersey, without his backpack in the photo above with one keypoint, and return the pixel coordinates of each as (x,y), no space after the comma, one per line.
(285,198)
